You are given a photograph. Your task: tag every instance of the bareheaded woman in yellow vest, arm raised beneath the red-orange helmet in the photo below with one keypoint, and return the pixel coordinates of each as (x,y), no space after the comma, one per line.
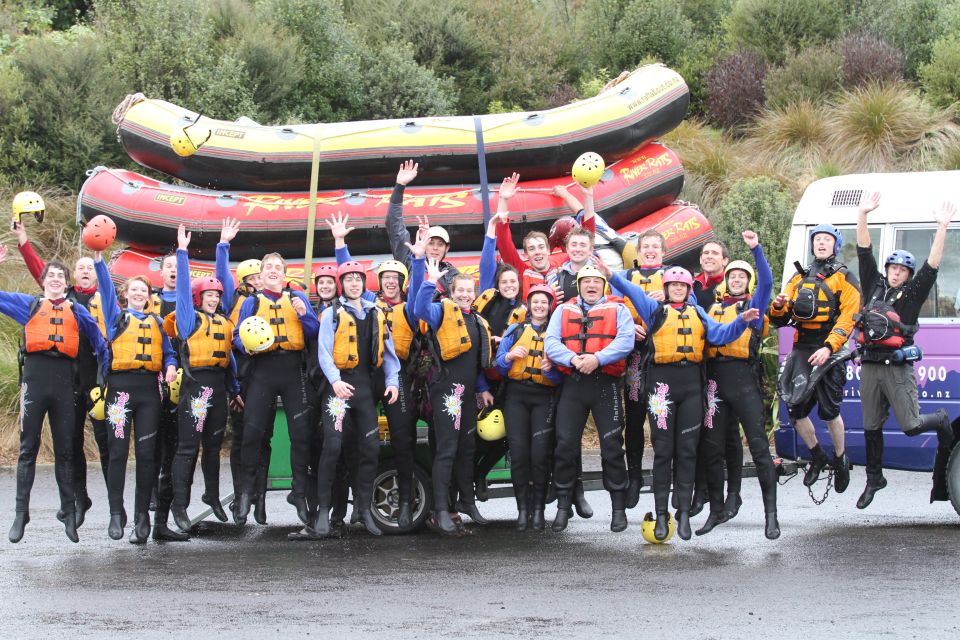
(141,358)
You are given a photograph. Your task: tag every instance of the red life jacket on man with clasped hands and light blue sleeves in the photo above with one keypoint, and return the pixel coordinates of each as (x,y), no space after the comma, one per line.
(591,333)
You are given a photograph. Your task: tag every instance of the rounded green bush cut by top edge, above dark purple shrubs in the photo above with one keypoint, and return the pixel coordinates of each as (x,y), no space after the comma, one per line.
(774,28)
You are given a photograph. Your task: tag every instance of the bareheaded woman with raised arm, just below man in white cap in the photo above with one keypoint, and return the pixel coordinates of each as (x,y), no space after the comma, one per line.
(462,348)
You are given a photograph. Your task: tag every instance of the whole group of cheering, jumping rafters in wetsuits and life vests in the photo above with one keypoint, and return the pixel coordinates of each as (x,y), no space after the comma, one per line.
(550,339)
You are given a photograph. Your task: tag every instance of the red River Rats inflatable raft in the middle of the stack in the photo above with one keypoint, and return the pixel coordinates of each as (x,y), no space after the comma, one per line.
(147,211)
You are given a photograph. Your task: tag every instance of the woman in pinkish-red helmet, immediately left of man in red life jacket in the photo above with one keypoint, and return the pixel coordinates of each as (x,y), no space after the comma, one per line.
(531,386)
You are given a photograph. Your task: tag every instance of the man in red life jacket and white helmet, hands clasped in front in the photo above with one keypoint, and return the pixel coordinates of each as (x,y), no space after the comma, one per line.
(589,338)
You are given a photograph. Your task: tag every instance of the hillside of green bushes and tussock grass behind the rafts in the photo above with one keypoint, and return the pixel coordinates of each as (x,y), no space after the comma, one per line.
(783,91)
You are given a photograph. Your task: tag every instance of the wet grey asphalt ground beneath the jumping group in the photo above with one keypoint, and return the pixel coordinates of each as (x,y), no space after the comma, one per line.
(891,571)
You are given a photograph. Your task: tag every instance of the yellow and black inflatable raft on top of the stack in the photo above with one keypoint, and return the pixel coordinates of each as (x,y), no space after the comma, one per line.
(244,155)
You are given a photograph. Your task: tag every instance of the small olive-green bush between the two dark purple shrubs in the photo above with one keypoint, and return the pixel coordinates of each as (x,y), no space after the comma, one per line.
(812,74)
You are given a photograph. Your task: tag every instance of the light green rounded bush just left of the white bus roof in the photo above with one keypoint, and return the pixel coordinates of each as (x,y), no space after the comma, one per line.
(758,203)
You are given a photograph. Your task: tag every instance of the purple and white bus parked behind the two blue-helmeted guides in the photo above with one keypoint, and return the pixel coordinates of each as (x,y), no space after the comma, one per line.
(904,220)
